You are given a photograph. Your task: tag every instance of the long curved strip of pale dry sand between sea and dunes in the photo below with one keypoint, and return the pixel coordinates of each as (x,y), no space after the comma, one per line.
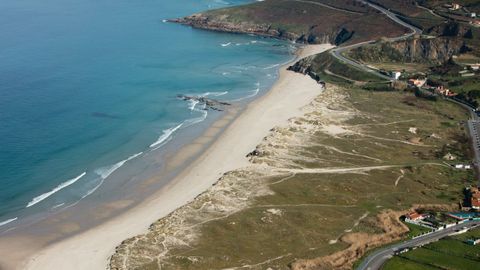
(91,249)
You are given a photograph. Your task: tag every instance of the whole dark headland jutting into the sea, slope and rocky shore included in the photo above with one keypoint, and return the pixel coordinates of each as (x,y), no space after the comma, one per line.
(315,21)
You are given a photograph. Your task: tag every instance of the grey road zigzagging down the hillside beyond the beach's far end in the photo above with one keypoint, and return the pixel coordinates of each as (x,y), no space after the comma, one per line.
(337,53)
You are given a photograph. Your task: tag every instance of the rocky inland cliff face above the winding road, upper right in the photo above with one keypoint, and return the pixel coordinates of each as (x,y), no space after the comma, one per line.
(416,50)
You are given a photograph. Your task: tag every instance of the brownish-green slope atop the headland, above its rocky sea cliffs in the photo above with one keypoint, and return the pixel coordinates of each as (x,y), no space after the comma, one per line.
(308,18)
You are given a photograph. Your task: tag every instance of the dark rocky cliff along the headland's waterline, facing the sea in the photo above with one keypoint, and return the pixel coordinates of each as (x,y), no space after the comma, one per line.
(222,24)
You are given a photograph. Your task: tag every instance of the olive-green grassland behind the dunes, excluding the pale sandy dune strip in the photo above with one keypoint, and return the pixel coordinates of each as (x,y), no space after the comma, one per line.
(320,207)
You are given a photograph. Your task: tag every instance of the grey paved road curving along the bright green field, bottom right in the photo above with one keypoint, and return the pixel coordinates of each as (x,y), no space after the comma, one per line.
(377,259)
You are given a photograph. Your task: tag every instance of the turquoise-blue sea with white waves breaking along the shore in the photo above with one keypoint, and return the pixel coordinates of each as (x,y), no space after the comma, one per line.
(86,87)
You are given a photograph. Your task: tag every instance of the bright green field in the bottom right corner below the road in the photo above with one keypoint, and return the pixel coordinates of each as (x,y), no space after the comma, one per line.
(449,253)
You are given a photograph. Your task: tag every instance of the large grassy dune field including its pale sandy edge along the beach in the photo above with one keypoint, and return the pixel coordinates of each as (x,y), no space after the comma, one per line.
(322,180)
